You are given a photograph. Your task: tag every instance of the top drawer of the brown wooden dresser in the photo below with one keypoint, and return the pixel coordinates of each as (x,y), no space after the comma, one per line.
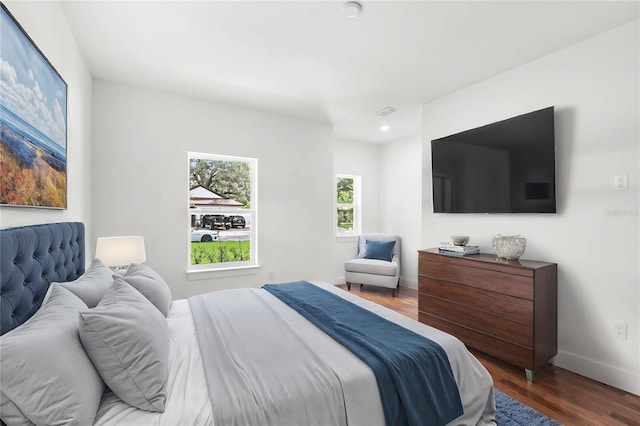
(442,268)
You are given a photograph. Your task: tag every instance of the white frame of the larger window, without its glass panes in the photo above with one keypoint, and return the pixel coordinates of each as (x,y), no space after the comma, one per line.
(252,214)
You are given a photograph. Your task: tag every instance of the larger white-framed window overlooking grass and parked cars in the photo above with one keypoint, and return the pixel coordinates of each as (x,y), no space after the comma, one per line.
(222,212)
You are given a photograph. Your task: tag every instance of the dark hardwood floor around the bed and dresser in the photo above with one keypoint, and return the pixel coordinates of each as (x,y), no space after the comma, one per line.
(564,396)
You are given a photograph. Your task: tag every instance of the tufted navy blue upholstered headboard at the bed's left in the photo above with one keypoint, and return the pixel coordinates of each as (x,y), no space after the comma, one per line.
(31,258)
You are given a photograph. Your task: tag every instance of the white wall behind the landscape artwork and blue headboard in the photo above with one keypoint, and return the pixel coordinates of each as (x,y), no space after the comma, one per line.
(47,26)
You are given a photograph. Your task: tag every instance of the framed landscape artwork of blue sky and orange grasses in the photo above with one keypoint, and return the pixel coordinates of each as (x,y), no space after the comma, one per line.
(33,123)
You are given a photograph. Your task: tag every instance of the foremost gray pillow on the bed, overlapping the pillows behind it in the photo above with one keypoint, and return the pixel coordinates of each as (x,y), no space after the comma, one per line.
(128,341)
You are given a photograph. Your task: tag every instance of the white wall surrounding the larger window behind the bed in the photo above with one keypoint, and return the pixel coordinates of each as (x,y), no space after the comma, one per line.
(141,139)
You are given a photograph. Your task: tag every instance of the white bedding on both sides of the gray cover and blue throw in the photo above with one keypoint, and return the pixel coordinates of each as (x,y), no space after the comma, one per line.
(188,401)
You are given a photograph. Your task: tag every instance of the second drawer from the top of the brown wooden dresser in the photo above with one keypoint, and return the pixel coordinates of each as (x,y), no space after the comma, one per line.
(501,305)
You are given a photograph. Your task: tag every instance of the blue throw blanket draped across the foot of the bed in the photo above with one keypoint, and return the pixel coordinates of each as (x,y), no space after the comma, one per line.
(413,373)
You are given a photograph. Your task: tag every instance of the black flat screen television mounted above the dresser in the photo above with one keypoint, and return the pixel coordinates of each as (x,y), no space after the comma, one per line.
(503,167)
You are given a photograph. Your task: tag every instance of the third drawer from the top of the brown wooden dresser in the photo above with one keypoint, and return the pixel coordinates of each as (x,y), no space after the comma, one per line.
(479,321)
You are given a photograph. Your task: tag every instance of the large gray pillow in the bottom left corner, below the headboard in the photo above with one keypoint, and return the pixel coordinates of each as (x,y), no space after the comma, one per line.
(47,377)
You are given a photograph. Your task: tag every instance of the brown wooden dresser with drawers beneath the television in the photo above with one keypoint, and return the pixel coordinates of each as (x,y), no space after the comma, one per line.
(507,309)
